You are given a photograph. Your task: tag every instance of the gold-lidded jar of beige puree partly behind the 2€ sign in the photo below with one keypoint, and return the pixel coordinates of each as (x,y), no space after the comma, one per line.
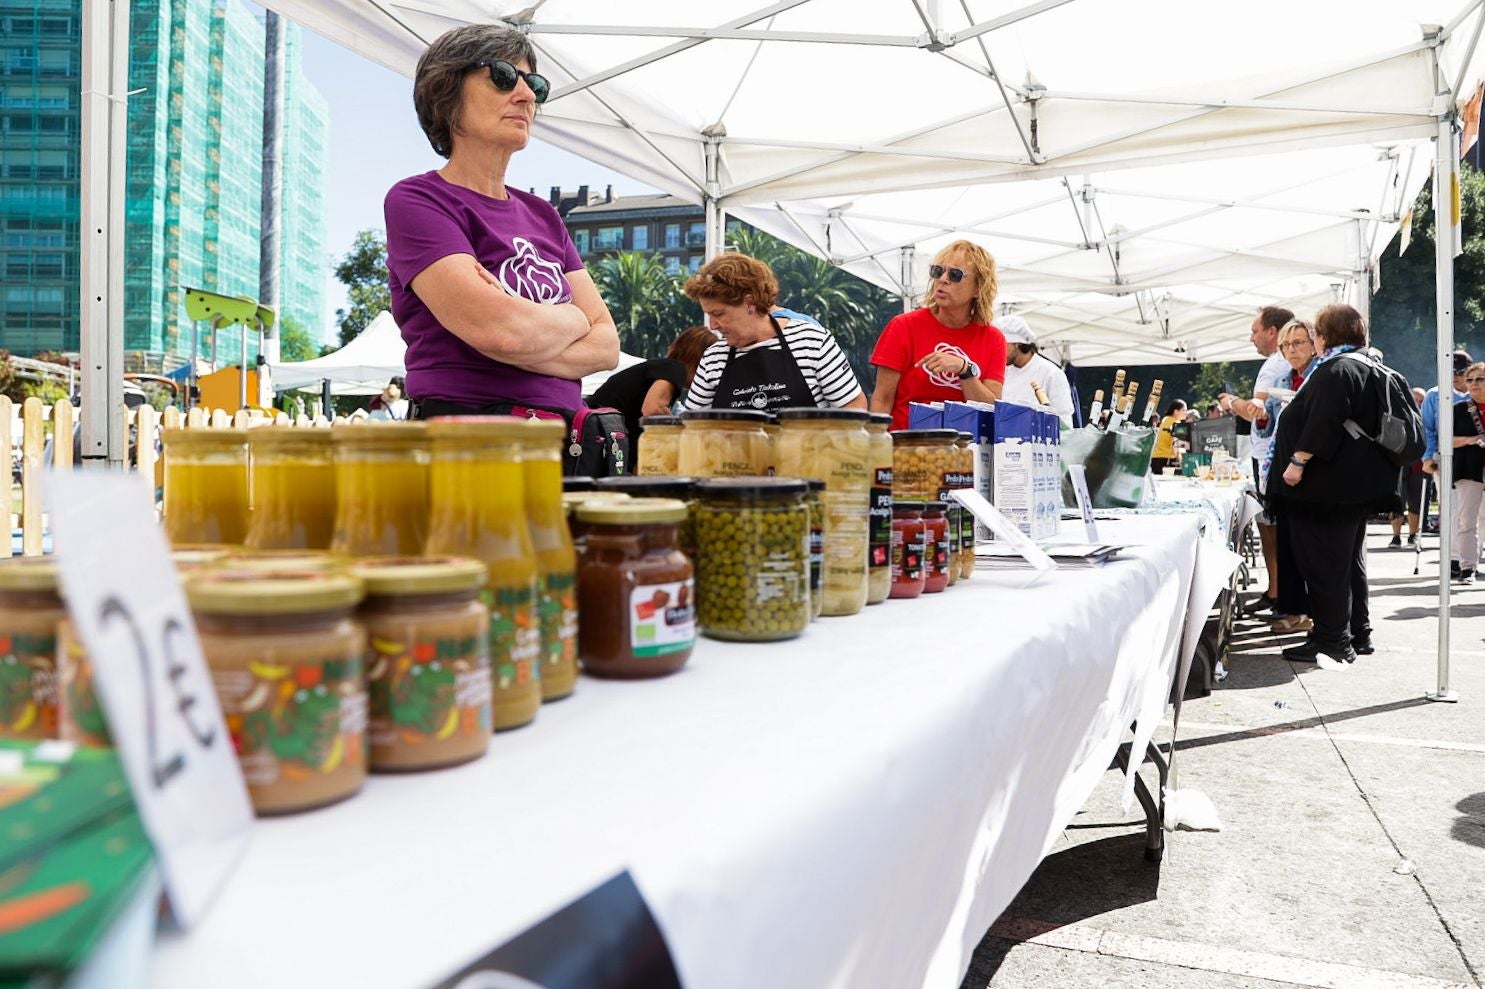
(286,659)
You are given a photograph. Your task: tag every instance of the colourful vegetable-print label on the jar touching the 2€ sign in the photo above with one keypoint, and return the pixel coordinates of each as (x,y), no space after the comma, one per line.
(295,722)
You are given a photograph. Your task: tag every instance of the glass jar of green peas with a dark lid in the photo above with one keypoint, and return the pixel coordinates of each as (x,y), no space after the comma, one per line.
(754,577)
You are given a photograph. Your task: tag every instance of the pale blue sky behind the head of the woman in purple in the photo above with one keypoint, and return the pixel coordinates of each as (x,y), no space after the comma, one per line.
(375,142)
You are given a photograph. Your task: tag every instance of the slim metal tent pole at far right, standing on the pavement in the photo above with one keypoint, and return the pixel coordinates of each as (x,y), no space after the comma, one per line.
(1446,210)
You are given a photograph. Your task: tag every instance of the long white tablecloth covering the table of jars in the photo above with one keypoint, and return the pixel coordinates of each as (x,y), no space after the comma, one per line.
(850,809)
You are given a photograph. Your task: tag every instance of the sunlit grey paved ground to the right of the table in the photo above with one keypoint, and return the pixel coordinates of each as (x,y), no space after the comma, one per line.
(1352,853)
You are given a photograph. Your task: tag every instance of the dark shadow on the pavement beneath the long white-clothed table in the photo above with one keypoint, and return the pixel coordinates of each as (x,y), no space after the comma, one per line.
(1073,886)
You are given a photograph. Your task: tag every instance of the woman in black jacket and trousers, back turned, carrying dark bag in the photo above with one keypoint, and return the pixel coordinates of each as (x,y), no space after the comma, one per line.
(1330,483)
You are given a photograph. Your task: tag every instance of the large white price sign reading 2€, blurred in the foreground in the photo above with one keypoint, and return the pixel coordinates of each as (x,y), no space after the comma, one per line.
(125,601)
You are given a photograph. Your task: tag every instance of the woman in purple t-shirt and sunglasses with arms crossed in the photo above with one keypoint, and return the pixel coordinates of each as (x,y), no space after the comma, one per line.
(486,284)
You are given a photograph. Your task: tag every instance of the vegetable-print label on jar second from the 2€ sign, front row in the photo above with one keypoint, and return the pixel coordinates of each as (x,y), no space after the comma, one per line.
(430,693)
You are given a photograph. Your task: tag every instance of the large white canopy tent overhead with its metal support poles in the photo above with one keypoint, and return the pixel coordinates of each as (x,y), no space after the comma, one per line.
(807,108)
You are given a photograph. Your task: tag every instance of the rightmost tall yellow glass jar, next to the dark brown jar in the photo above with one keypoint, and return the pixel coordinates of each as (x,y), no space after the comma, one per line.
(556,558)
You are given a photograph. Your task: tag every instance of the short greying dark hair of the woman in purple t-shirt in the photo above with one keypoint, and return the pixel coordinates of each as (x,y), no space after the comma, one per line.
(439,81)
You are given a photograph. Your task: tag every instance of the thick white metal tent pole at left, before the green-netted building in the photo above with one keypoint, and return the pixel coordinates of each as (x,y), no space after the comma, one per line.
(105,140)
